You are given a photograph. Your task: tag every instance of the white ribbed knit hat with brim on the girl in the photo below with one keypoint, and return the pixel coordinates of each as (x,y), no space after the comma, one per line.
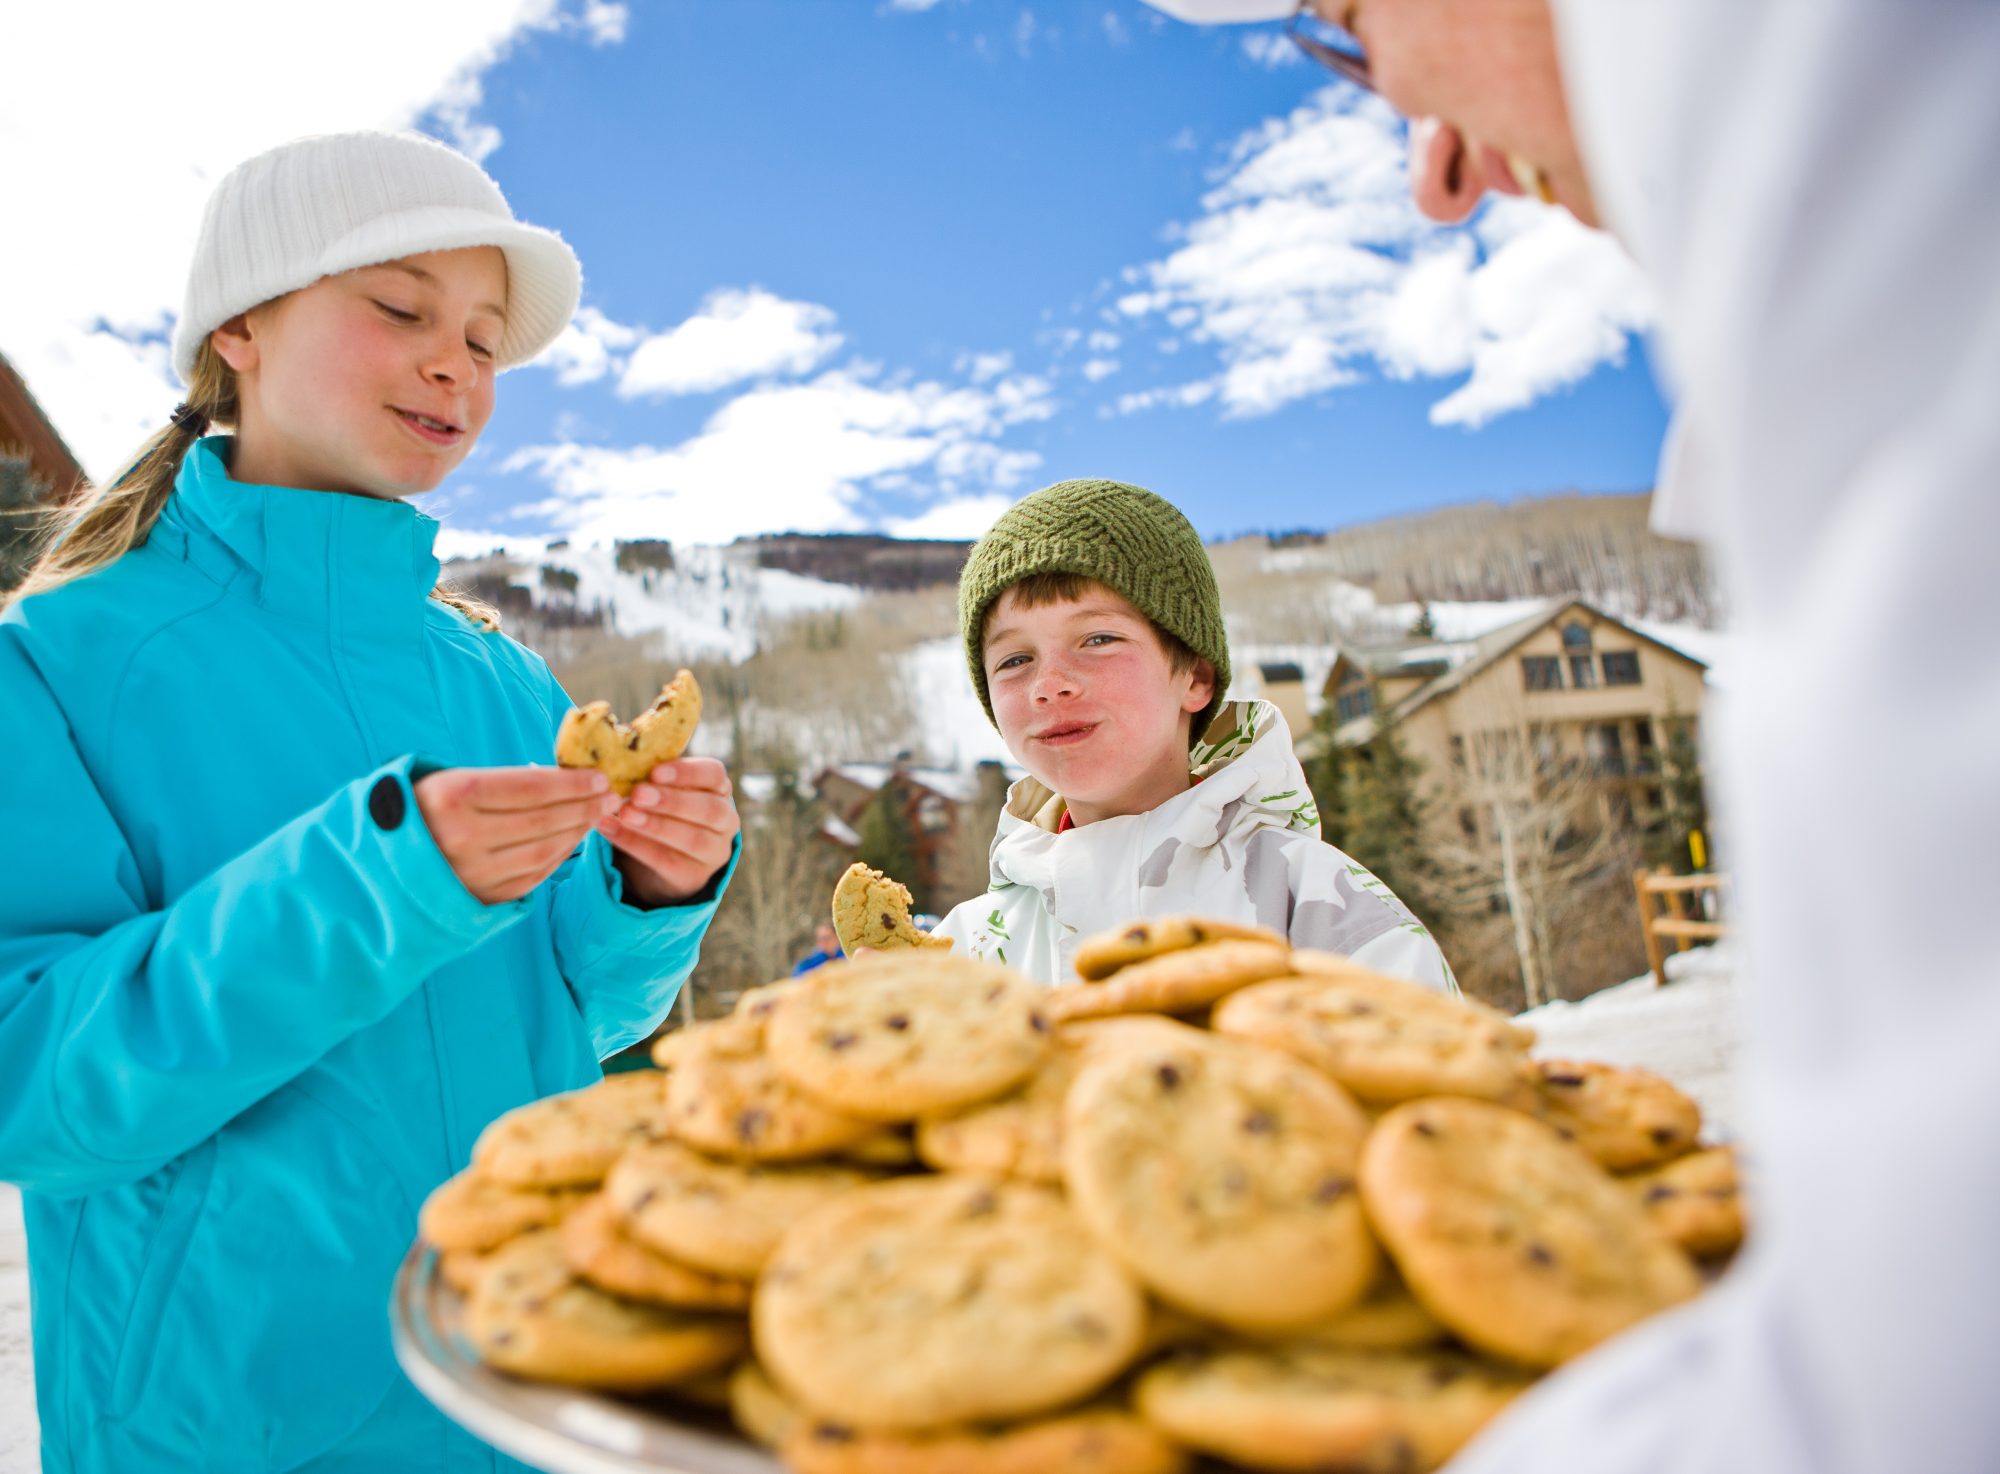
(319,207)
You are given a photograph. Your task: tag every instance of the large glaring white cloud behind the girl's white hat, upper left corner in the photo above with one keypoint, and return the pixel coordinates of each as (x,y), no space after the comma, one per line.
(127,179)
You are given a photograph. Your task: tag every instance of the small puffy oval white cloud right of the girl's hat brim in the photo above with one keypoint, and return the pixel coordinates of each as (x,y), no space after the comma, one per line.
(737,335)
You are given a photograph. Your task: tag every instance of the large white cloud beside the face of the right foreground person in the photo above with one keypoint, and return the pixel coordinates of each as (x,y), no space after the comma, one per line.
(1311,265)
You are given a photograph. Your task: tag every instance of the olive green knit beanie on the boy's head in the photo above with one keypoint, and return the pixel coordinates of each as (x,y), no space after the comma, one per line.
(1125,539)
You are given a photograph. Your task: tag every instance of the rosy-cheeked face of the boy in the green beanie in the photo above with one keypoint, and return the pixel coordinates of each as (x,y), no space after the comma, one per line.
(1089,701)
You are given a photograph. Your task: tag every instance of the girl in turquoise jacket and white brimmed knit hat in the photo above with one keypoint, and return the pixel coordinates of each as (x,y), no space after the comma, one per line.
(285,913)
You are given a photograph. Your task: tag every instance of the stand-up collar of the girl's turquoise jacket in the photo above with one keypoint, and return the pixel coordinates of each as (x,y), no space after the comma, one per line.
(313,555)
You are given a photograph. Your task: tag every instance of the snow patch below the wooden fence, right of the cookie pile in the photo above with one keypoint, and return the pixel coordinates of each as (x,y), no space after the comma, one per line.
(1685,1031)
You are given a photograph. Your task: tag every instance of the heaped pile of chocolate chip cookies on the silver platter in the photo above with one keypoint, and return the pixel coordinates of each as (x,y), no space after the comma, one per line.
(1215,1199)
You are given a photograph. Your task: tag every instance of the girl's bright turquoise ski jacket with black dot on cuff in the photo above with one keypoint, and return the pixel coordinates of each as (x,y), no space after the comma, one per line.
(249,1017)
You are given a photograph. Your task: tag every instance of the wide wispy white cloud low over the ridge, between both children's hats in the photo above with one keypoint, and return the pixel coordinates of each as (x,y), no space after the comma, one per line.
(795,457)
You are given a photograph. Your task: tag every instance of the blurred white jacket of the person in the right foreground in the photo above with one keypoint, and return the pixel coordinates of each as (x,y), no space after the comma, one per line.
(1813,189)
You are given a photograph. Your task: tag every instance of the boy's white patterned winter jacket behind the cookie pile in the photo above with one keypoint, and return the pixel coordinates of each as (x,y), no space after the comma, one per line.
(1241,845)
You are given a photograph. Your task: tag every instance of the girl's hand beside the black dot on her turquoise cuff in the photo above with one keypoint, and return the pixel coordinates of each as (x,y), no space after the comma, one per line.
(505,831)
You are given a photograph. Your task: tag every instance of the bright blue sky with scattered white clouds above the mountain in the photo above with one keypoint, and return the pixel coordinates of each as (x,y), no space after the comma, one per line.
(859,263)
